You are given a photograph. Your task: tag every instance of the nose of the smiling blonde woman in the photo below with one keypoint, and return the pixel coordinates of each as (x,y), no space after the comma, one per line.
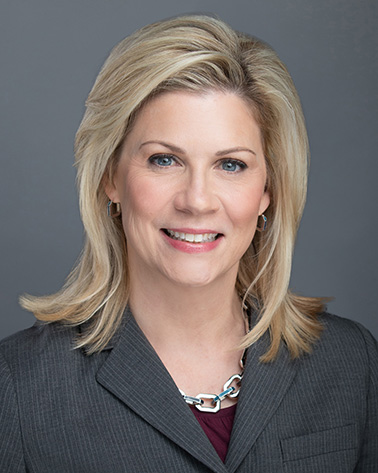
(197,194)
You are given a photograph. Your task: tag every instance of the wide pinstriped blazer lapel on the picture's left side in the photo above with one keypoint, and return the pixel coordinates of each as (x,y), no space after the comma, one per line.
(135,374)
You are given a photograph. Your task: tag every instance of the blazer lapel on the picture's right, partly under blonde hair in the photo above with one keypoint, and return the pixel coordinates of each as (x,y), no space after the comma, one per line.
(263,387)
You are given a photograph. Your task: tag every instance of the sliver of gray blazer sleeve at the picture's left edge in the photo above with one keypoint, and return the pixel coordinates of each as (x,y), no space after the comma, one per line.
(11,451)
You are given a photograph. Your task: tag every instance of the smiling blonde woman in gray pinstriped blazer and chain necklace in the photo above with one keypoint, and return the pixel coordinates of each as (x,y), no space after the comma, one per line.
(175,344)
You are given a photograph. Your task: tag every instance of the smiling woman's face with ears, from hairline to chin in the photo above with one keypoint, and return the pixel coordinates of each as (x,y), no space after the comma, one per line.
(191,184)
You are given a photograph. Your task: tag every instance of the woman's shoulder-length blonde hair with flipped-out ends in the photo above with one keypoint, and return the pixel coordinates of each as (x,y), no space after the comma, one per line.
(196,53)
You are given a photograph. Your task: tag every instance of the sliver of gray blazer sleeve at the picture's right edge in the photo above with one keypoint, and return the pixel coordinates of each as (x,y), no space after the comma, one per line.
(368,460)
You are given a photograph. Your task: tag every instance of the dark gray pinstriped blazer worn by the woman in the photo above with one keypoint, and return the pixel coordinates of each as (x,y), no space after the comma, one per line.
(120,411)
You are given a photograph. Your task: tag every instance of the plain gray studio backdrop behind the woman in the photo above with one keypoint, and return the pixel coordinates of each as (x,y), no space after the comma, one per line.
(50,54)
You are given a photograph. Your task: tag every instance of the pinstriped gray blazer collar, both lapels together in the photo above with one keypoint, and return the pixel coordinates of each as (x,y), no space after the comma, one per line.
(135,374)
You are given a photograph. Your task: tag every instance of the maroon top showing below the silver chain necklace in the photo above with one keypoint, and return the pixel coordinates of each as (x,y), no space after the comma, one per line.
(217,427)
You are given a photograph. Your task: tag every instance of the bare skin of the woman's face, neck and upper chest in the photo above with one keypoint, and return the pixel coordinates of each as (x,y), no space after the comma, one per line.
(192,162)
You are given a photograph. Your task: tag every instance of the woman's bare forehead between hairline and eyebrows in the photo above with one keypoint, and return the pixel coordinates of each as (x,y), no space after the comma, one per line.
(187,116)
